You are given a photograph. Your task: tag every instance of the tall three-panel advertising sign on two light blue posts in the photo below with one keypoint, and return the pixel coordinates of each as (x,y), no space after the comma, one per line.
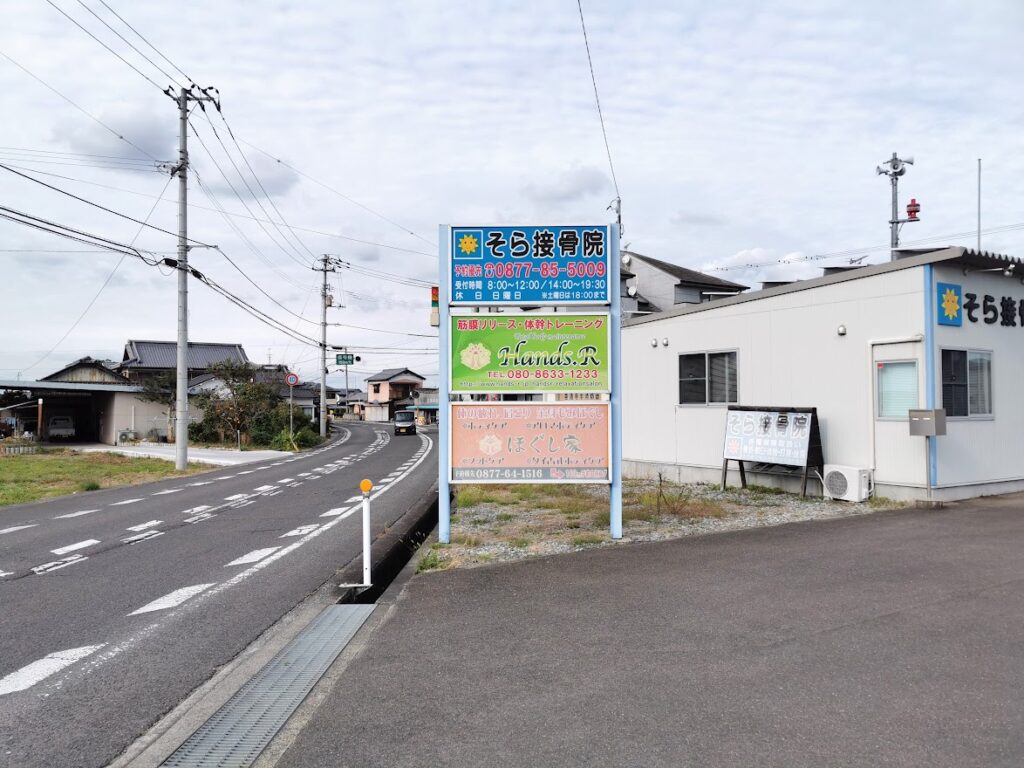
(546,354)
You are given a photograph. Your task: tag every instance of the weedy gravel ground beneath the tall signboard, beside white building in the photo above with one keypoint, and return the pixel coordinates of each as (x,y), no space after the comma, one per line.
(506,524)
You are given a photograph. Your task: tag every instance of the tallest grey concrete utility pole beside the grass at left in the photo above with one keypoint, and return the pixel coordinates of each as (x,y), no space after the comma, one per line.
(192,94)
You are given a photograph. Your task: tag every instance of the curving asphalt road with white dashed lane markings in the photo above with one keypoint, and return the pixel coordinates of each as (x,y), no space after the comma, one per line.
(116,605)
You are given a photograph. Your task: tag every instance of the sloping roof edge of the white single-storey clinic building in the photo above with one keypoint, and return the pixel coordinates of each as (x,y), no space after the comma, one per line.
(906,260)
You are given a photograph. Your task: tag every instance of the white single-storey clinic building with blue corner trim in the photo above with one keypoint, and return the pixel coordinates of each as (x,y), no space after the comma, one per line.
(933,329)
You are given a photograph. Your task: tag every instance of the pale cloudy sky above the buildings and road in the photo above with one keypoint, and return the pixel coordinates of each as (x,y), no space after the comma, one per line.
(745,139)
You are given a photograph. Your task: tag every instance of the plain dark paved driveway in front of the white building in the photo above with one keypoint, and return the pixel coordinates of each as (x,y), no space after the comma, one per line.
(895,639)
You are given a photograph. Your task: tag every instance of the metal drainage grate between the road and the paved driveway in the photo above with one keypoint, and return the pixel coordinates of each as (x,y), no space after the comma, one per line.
(244,727)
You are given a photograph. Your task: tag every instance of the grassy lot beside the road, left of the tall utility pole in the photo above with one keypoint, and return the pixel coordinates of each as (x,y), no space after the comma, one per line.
(33,477)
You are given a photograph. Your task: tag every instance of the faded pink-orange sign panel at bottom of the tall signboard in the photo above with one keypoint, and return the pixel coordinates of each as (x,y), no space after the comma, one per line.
(531,443)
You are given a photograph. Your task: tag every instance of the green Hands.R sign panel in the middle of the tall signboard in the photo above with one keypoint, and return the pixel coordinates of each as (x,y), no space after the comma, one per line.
(557,353)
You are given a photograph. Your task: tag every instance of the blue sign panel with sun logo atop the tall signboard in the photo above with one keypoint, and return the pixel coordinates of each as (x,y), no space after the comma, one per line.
(530,266)
